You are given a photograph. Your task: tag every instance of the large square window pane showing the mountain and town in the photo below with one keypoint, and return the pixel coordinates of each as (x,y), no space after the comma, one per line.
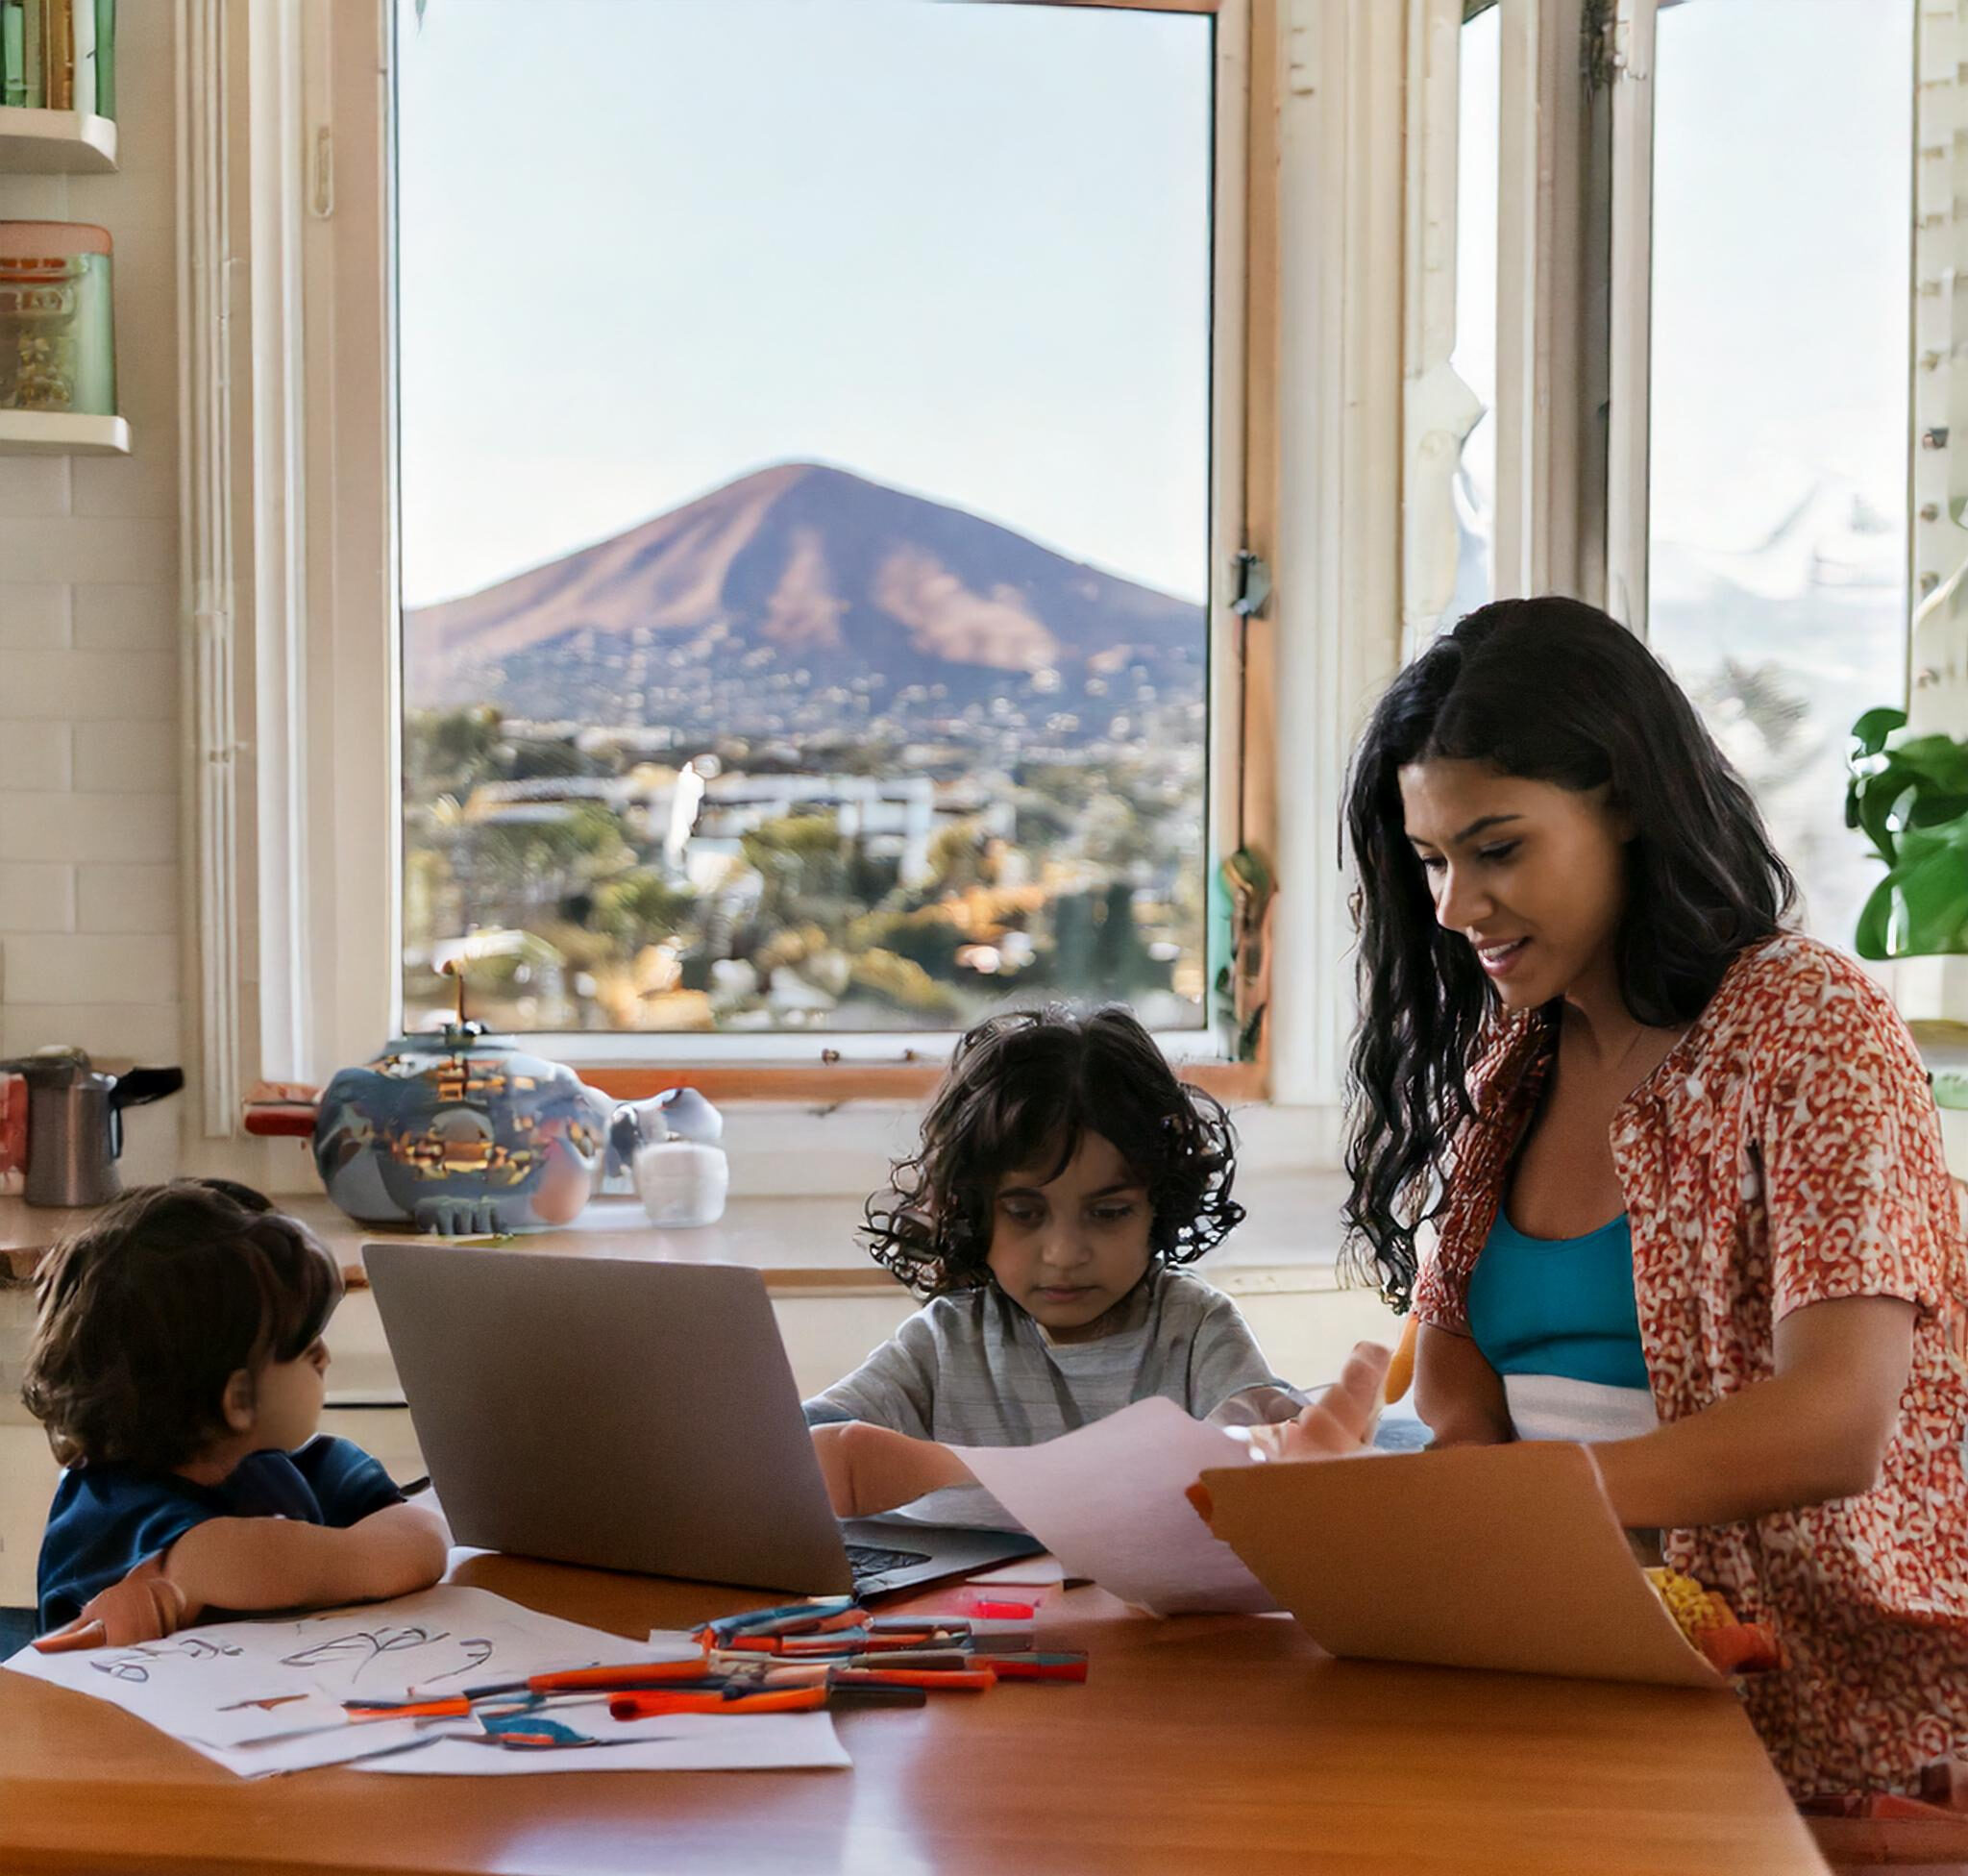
(804,509)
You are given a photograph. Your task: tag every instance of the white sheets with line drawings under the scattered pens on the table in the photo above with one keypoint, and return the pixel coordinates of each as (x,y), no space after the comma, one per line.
(269,1696)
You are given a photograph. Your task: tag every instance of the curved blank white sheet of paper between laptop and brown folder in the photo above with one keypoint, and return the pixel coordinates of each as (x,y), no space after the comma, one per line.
(1109,1505)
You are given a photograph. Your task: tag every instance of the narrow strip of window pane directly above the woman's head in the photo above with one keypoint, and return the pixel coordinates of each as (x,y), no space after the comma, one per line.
(1475,355)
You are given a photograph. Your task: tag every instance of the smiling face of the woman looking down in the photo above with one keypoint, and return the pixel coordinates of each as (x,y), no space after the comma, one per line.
(1530,873)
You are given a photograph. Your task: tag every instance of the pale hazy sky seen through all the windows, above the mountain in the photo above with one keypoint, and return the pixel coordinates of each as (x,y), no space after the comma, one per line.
(963,249)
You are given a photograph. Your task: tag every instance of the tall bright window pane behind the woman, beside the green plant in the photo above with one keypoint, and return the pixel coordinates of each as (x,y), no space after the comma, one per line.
(1780,399)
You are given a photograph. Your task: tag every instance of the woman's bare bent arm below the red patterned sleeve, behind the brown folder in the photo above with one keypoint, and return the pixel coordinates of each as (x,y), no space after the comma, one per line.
(1815,1430)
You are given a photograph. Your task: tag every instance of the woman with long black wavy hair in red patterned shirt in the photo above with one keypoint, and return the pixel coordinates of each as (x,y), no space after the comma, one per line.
(1684,1168)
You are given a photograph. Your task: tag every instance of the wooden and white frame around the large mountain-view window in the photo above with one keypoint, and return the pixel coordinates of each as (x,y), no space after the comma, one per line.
(314,698)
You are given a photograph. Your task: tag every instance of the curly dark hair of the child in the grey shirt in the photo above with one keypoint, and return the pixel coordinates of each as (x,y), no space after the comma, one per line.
(1022,1090)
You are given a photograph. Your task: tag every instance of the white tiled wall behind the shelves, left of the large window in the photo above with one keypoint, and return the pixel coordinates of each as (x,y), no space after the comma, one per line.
(90,662)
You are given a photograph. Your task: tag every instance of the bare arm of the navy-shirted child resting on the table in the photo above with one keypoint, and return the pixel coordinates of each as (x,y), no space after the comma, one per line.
(253,1564)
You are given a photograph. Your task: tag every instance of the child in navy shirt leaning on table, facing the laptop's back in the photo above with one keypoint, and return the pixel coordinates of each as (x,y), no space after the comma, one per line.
(180,1371)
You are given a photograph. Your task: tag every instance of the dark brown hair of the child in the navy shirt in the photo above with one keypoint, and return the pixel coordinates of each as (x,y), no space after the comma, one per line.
(149,1312)
